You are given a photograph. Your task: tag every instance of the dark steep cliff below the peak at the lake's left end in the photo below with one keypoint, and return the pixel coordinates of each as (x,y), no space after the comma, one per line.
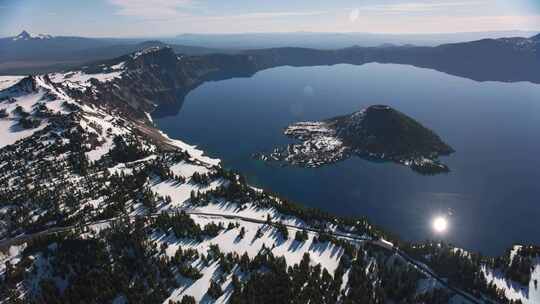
(159,78)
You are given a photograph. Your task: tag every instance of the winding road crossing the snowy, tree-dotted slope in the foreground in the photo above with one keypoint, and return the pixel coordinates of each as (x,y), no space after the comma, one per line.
(5,244)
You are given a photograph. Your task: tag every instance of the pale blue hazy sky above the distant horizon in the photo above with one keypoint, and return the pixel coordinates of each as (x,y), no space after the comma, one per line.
(140,18)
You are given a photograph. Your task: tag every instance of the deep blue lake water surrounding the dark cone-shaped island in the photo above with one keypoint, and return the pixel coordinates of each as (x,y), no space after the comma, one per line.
(491,197)
